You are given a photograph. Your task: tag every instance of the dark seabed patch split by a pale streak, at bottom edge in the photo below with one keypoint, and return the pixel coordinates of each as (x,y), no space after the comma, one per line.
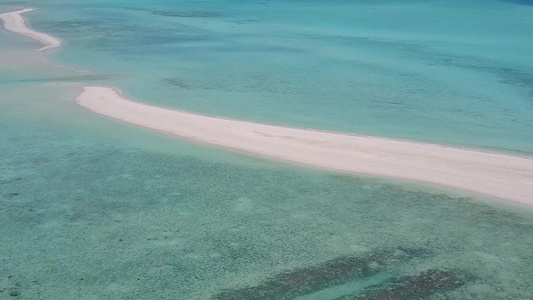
(340,270)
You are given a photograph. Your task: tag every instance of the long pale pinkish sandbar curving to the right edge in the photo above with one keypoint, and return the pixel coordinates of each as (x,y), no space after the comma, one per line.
(499,175)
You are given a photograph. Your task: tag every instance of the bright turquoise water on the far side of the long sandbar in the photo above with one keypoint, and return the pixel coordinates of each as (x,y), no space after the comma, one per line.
(451,72)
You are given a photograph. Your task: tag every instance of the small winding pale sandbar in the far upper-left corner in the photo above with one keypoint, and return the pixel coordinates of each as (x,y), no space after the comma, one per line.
(13,21)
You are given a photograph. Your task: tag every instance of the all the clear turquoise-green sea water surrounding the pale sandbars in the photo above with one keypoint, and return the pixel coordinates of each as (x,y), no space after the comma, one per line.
(91,208)
